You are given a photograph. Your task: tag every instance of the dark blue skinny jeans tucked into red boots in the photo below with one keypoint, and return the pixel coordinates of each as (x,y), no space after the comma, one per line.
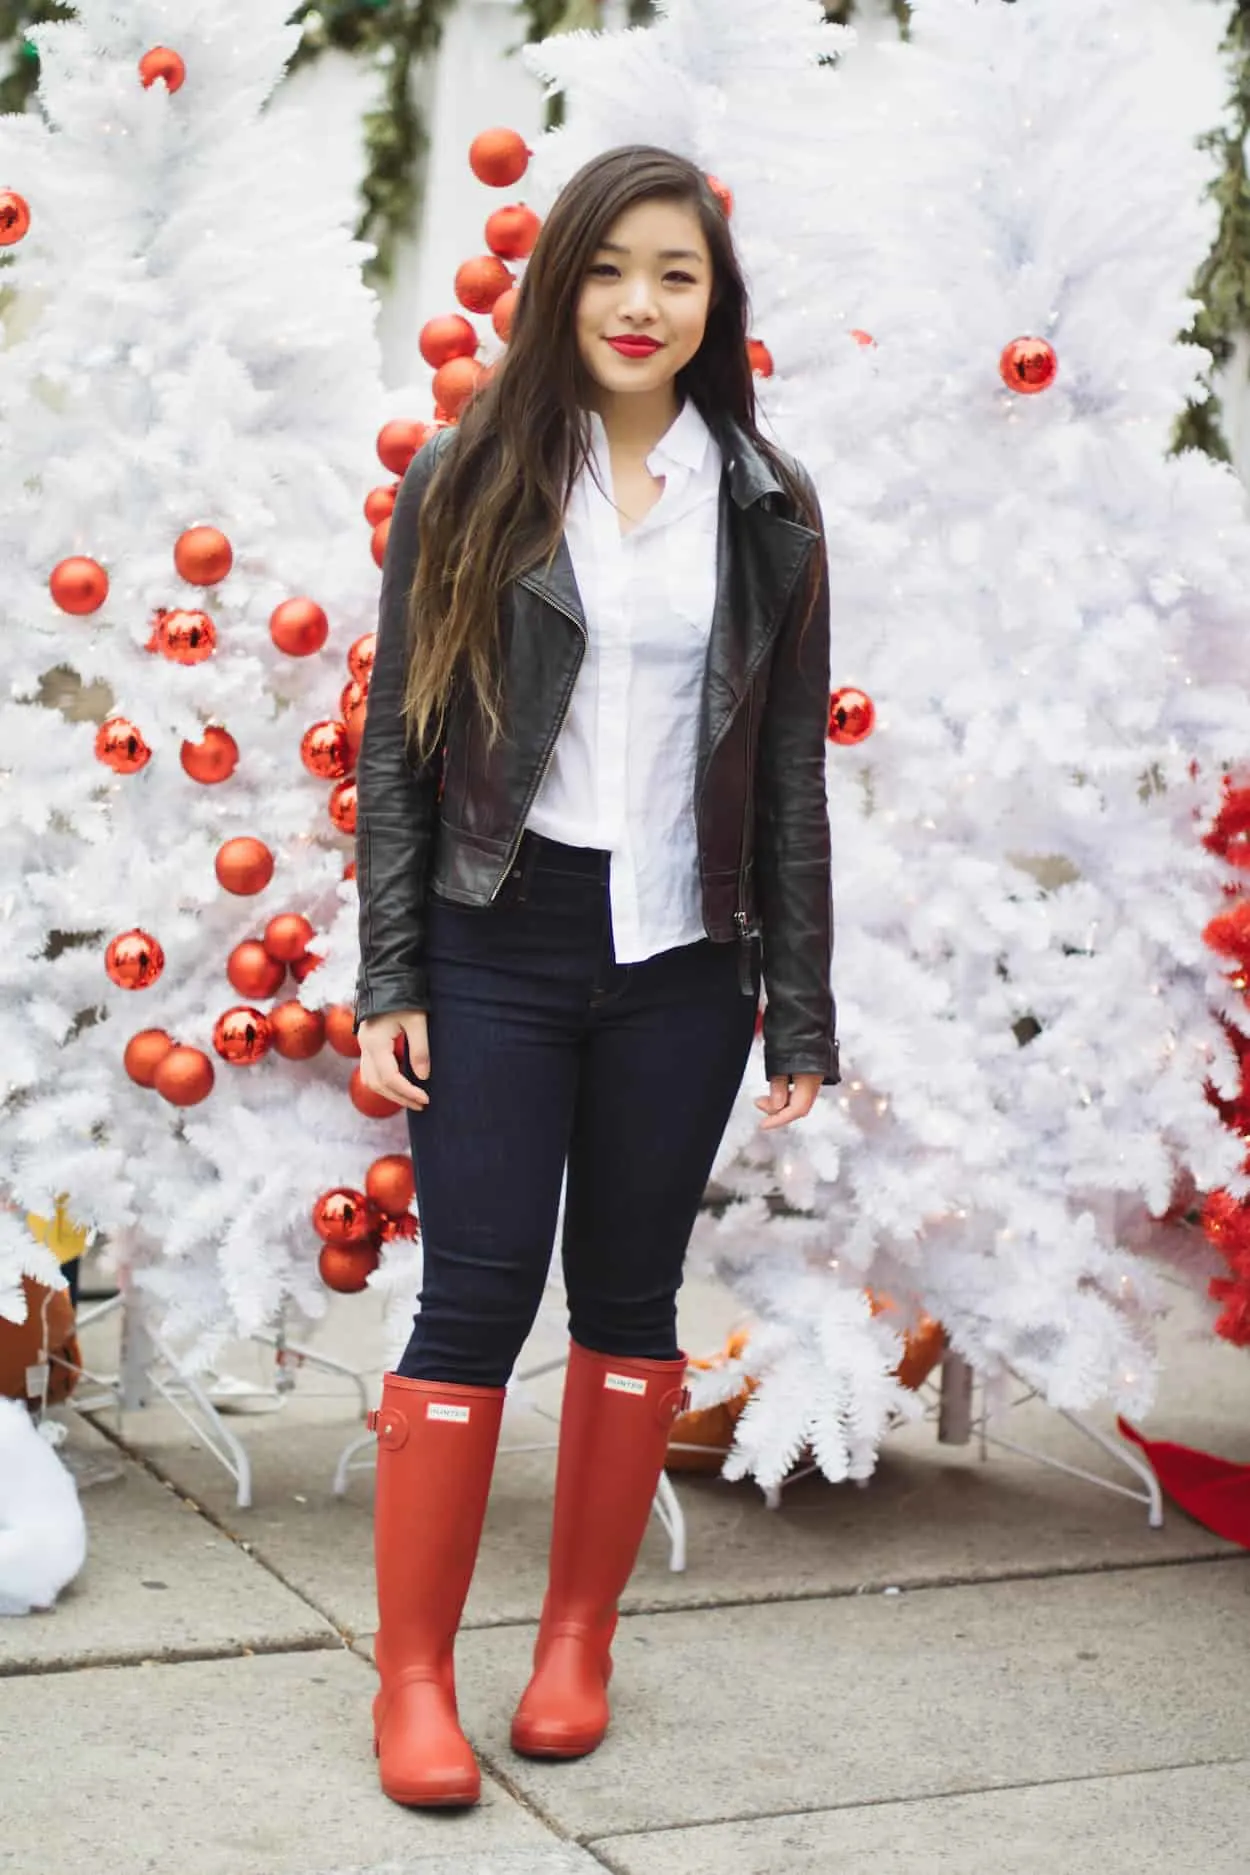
(544,1051)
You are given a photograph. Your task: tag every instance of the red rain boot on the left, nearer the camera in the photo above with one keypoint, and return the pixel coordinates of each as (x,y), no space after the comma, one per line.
(434,1475)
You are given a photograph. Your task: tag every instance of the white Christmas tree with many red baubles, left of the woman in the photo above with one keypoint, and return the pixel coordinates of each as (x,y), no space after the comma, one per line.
(188,361)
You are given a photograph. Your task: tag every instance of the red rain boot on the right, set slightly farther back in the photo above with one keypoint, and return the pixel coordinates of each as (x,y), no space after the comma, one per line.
(614,1439)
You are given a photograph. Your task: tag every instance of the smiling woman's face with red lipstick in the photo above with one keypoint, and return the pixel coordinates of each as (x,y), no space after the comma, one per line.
(646,299)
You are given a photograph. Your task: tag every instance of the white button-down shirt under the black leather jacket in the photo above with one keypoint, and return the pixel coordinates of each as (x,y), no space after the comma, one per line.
(623,770)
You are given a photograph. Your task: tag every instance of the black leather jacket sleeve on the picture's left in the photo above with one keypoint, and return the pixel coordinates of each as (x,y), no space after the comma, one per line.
(396,803)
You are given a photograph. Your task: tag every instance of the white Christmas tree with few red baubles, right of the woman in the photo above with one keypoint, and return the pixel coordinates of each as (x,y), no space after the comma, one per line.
(1037,618)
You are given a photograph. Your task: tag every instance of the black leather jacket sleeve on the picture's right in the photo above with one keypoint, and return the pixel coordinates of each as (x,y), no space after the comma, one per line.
(794,863)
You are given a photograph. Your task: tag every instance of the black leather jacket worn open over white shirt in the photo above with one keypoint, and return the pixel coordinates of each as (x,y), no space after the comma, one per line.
(454,824)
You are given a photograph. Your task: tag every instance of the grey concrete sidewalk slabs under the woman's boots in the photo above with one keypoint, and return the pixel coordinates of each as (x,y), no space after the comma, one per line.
(964,1664)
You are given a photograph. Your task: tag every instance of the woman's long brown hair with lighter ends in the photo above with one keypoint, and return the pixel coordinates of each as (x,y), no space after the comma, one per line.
(496,505)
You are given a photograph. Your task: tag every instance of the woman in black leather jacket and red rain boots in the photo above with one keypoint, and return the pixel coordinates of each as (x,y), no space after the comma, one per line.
(591,787)
